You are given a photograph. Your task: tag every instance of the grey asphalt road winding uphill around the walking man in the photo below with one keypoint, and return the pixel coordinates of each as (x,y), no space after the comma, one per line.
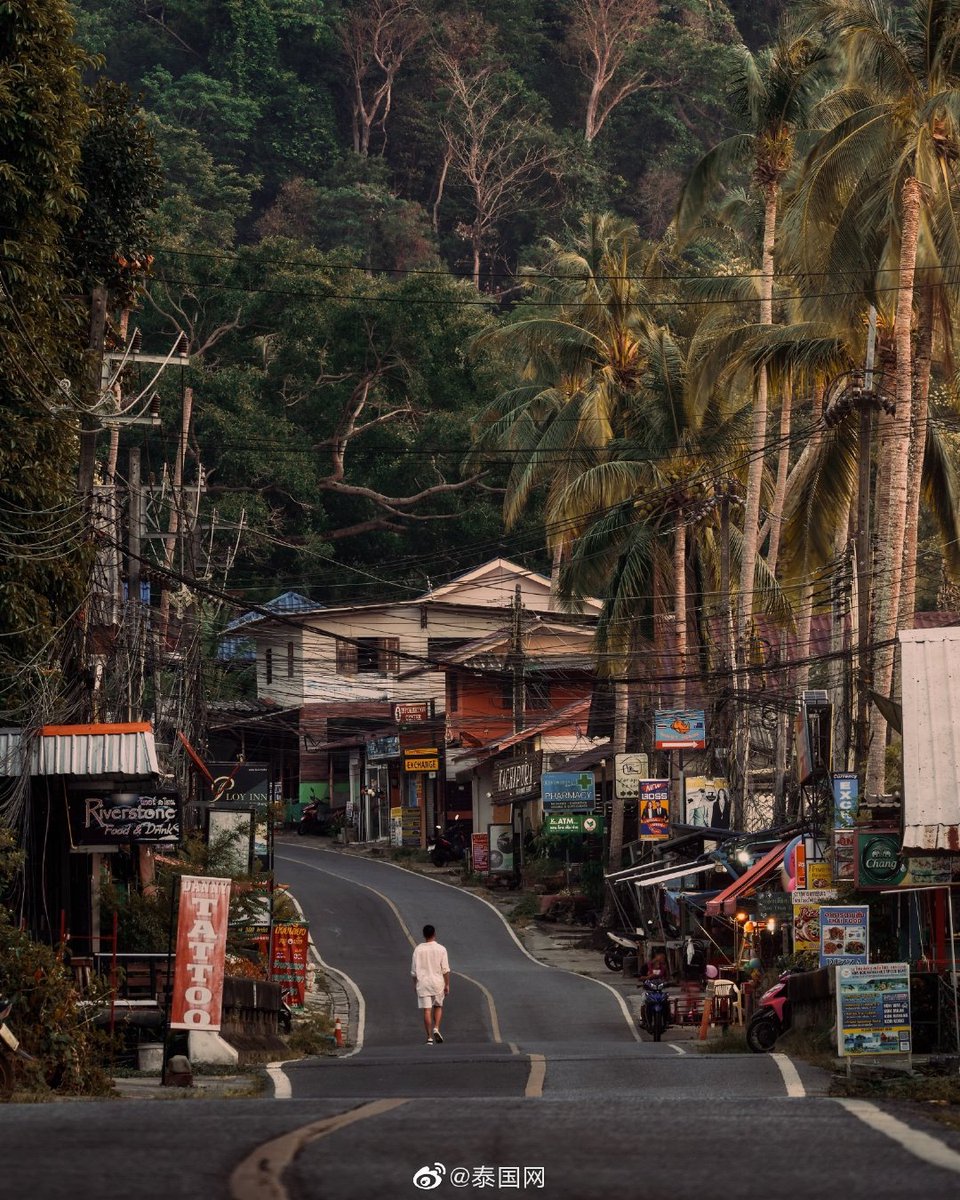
(542,1089)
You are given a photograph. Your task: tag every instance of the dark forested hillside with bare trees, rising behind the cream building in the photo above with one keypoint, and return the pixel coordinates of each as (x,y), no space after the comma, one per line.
(349,191)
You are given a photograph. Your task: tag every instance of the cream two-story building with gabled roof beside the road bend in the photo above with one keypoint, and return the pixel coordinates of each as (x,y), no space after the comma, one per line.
(368,689)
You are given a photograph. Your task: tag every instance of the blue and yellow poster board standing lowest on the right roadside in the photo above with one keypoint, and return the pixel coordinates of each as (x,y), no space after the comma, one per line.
(873,1009)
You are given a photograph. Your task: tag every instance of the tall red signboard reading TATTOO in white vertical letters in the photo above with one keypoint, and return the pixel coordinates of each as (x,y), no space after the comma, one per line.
(201,950)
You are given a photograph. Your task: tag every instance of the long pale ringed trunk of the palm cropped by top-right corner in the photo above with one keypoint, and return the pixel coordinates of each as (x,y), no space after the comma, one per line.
(892,545)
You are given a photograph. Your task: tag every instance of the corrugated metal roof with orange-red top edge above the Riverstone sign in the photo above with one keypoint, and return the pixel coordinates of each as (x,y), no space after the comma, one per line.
(92,751)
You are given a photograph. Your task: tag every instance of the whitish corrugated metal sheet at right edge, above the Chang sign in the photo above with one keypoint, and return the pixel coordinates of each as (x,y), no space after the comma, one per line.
(931,673)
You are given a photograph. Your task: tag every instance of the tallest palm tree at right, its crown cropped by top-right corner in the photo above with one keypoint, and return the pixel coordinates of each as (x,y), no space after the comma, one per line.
(887,165)
